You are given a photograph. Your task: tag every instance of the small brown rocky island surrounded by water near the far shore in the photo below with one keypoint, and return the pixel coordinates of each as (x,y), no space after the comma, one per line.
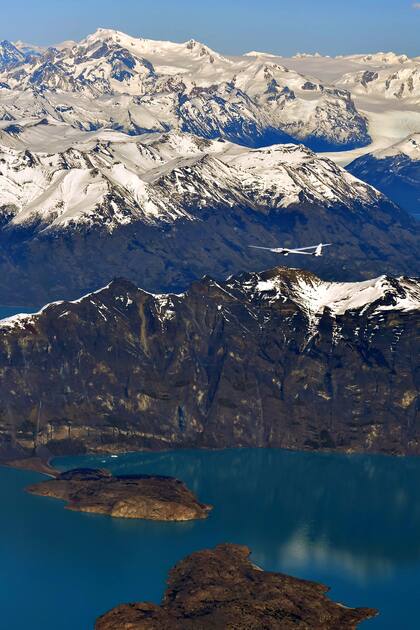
(156,498)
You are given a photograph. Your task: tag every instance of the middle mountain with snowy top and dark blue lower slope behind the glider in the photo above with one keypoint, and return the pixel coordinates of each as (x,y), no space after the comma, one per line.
(167,208)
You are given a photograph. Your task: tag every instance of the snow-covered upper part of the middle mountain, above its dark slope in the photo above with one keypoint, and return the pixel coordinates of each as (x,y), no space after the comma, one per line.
(113,179)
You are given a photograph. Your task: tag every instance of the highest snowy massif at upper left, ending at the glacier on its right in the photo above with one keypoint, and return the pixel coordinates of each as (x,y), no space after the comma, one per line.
(144,85)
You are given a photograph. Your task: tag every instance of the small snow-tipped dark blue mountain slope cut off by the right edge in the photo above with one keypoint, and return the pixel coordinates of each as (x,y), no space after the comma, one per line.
(395,171)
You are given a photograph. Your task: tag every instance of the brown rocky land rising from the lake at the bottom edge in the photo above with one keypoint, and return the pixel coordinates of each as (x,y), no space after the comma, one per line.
(221,588)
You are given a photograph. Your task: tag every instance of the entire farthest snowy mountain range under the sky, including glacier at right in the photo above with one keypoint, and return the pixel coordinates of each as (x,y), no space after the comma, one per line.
(112,80)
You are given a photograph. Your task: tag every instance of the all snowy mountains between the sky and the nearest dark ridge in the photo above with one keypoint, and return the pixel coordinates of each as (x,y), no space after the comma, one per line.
(162,161)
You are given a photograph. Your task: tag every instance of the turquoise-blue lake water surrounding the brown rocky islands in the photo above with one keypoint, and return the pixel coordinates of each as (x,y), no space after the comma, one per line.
(352,522)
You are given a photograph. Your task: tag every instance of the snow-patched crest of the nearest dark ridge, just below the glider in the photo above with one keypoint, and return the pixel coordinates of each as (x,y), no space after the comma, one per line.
(313,295)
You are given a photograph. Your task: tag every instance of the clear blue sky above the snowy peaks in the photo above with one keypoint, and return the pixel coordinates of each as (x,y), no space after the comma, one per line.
(230,26)
